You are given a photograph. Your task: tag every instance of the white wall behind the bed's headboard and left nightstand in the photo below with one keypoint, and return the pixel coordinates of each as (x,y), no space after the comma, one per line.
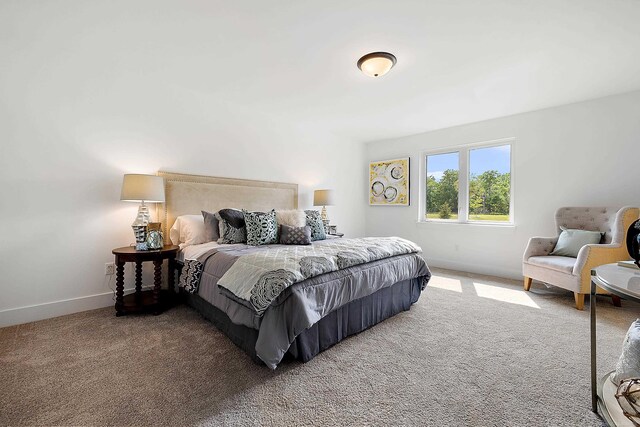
(74,119)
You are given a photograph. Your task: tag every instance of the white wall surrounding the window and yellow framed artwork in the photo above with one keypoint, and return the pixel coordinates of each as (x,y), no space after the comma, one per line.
(583,154)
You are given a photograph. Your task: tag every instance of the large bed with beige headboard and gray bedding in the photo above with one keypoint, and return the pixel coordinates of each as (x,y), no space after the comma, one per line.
(309,316)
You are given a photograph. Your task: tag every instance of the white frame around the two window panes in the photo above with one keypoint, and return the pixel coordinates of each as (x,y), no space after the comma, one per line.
(463,183)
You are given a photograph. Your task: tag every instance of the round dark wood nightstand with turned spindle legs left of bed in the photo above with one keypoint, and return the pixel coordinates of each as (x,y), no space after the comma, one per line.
(154,301)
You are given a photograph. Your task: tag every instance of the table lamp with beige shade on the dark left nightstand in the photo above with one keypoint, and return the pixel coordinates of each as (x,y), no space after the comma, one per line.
(142,188)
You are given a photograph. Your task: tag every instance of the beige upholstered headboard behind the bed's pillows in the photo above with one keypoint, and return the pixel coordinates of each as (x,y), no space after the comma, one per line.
(190,194)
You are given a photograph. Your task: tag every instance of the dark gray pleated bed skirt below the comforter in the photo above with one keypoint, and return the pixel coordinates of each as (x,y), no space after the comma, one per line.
(347,320)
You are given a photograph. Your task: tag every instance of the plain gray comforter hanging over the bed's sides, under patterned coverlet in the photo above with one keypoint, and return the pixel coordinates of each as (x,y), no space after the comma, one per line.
(303,304)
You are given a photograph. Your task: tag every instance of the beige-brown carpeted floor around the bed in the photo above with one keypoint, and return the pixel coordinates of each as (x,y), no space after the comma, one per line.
(473,351)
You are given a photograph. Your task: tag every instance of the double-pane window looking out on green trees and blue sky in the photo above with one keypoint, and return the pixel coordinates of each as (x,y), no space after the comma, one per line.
(469,184)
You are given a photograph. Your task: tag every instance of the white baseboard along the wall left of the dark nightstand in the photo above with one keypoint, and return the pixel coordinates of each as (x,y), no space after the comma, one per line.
(32,313)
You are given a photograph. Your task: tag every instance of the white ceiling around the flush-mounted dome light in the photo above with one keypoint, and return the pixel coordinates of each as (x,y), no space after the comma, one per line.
(295,61)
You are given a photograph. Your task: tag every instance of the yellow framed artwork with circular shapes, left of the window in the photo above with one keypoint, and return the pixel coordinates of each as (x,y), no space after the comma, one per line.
(389,182)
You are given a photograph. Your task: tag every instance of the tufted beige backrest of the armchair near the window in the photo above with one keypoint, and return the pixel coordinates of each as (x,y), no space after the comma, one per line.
(613,222)
